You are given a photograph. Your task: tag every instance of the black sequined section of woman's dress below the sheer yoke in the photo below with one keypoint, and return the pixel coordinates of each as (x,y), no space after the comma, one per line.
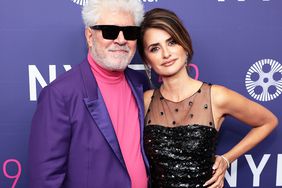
(181,156)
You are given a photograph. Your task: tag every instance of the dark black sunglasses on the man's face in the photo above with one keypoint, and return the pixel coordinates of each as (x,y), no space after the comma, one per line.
(111,31)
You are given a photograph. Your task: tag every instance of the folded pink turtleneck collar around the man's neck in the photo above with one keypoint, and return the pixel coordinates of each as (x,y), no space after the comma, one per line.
(103,75)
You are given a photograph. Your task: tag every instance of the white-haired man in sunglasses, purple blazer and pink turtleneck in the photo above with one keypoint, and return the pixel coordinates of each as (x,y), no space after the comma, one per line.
(87,130)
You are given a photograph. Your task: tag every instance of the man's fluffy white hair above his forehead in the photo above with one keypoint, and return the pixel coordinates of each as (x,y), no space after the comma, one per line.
(92,11)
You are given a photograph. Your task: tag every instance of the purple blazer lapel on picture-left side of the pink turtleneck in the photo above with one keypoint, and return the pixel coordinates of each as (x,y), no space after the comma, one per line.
(97,108)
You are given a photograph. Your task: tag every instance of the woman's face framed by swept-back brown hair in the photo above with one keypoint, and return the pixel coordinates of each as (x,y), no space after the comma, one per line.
(162,53)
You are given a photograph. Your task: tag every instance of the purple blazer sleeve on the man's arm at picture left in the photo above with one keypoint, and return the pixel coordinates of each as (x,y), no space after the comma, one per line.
(49,142)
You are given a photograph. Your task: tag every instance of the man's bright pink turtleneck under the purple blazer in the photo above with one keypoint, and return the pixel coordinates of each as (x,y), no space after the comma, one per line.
(123,111)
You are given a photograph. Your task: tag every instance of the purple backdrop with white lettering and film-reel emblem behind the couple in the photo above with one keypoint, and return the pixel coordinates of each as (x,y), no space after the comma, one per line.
(237,43)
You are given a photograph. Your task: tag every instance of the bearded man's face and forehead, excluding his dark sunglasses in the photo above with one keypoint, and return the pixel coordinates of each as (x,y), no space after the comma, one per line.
(113,54)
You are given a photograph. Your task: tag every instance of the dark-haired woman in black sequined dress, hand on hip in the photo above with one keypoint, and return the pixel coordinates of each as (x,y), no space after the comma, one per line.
(184,115)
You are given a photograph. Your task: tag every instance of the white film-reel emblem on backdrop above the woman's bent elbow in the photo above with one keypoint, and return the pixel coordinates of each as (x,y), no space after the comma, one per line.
(264,80)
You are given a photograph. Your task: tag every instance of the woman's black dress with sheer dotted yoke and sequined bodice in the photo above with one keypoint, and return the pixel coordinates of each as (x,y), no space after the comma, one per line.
(179,140)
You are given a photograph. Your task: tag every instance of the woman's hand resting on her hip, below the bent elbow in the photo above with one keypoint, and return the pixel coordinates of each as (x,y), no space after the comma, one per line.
(219,169)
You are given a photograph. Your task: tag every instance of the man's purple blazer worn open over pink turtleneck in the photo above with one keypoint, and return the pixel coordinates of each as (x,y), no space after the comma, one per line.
(72,140)
